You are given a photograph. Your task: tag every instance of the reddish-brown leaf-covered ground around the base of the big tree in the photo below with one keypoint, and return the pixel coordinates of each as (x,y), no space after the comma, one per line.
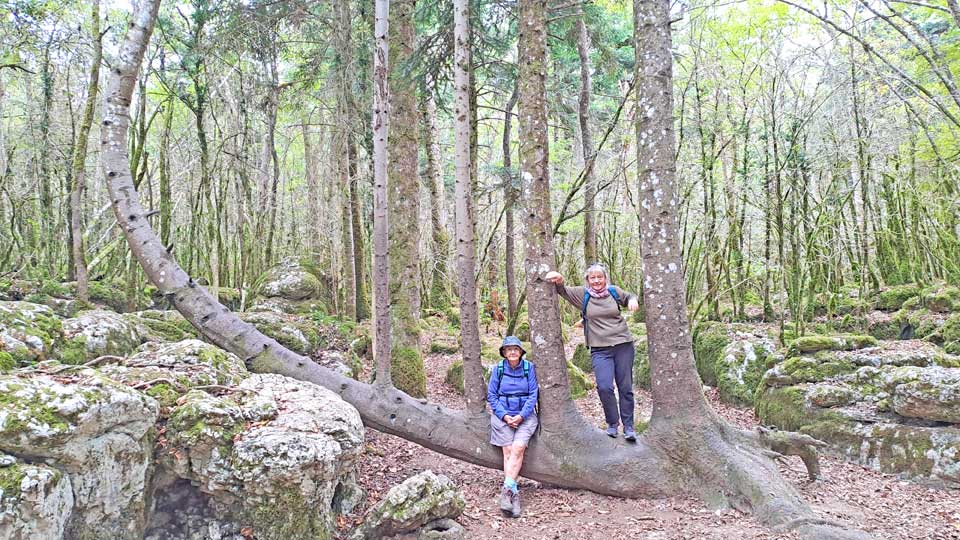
(883,505)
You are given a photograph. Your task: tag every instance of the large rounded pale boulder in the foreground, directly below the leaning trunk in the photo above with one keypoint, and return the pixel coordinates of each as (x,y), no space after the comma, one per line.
(271,449)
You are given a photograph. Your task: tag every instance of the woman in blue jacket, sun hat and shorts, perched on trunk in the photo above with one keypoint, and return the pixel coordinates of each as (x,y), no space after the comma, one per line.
(512,395)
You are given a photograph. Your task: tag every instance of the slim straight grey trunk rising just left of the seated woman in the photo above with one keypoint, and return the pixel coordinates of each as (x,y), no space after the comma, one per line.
(474,390)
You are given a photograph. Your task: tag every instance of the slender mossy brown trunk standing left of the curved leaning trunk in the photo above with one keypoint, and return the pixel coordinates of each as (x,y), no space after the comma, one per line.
(80,158)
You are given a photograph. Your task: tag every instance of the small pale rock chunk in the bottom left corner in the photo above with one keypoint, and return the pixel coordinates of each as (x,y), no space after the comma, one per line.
(35,500)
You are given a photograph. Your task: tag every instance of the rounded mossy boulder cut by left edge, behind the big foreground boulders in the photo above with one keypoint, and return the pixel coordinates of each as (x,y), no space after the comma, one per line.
(28,332)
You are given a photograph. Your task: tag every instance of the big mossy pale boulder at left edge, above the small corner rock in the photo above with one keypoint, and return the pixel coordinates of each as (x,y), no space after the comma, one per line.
(98,432)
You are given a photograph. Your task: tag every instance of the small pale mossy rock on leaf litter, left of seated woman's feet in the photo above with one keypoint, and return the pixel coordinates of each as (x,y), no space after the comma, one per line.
(407,506)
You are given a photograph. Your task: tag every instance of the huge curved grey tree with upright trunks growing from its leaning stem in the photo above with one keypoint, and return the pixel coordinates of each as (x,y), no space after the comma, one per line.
(568,452)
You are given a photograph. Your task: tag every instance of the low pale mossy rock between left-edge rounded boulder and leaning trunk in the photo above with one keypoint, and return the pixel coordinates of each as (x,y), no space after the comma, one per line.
(97,333)
